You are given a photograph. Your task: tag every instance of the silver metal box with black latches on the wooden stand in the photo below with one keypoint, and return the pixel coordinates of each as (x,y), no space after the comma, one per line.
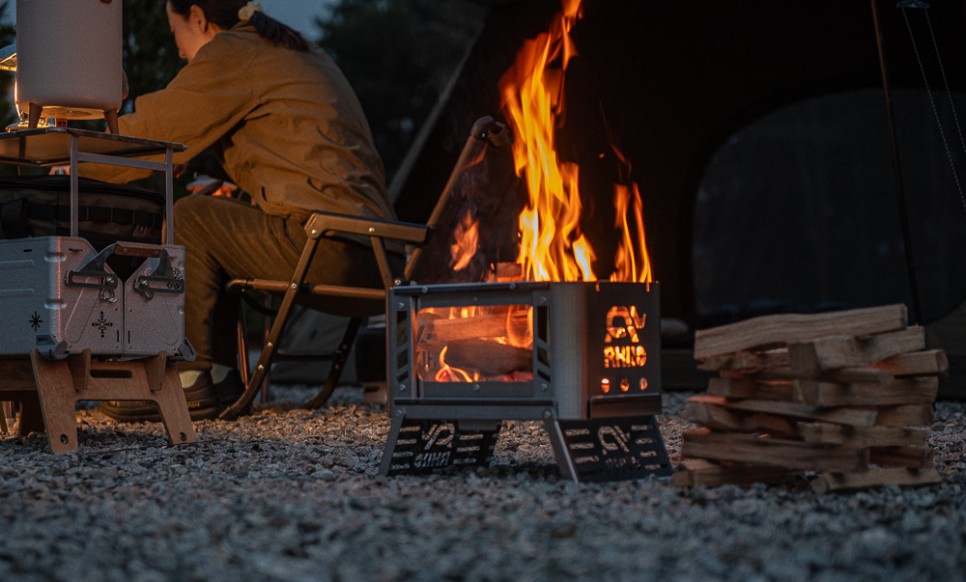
(61,297)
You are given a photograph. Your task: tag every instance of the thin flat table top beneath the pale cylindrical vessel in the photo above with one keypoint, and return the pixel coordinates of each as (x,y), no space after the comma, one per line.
(50,146)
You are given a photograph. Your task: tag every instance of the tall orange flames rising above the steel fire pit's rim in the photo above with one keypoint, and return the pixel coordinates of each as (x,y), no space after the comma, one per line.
(552,247)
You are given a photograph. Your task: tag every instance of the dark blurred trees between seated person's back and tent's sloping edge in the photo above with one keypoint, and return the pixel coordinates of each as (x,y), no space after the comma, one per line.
(399,55)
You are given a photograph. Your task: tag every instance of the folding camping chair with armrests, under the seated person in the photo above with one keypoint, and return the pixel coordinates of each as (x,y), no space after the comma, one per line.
(355,301)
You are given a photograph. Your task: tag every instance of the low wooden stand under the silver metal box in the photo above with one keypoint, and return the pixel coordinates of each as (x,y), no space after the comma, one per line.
(49,390)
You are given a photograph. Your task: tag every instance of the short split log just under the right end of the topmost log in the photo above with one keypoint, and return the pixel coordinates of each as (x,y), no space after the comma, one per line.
(832,353)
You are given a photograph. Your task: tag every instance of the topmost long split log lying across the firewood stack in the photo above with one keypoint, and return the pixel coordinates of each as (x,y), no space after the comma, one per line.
(775,330)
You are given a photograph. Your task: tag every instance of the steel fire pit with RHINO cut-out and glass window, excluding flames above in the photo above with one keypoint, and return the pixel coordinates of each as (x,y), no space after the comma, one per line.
(583,358)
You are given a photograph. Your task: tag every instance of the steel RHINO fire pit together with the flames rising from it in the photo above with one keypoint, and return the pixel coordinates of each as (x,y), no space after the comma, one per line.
(544,338)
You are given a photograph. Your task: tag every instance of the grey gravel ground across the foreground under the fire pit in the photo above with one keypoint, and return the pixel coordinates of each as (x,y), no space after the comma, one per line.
(289,494)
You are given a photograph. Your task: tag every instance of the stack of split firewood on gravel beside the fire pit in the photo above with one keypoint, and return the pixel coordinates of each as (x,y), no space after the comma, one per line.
(846,395)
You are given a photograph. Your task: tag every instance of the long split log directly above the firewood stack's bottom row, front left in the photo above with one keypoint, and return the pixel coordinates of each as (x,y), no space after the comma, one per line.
(772,452)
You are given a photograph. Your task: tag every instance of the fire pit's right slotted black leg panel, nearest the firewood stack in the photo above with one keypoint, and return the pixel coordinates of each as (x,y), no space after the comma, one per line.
(608,449)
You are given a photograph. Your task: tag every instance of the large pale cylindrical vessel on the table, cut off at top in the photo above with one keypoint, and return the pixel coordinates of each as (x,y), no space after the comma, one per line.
(69,57)
